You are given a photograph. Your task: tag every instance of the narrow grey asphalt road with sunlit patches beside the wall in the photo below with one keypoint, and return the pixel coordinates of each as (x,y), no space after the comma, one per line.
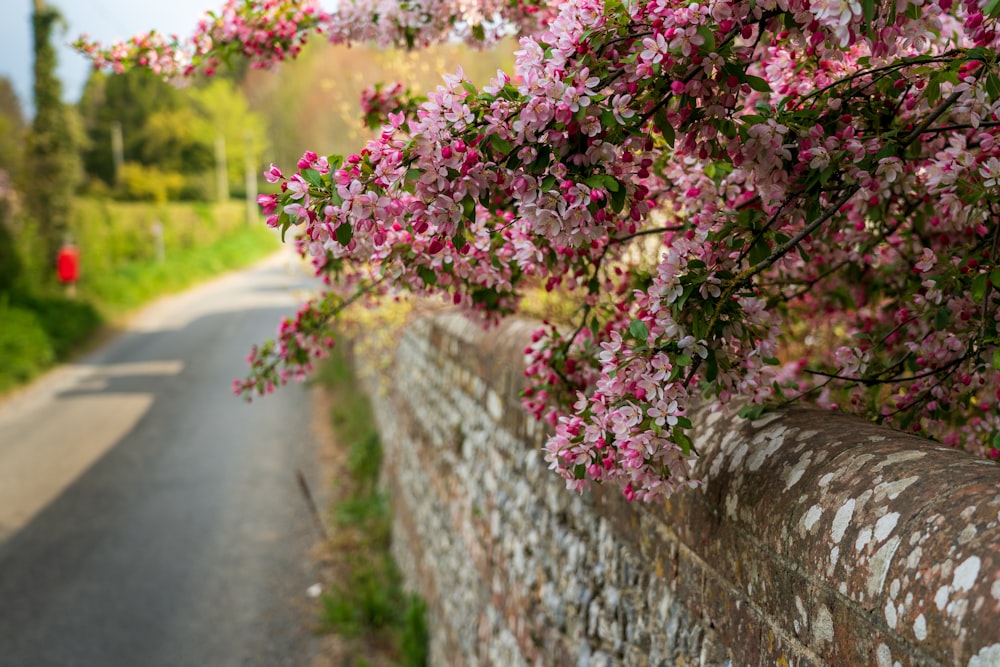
(147,516)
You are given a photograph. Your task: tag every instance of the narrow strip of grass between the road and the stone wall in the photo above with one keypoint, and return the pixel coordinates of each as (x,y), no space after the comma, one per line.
(365,605)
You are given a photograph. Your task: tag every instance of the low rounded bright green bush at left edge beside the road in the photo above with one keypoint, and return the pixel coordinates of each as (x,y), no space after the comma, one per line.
(24,346)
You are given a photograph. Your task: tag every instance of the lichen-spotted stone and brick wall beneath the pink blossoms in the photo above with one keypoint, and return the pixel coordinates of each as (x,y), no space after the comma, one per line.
(817,539)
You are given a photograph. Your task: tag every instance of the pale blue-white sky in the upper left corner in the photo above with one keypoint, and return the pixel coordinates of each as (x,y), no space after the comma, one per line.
(105,20)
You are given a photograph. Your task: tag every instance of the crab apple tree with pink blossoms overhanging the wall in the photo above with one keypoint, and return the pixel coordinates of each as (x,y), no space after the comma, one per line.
(750,201)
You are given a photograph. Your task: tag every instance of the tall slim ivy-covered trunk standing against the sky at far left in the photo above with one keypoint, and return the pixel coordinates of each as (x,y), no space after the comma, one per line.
(51,166)
